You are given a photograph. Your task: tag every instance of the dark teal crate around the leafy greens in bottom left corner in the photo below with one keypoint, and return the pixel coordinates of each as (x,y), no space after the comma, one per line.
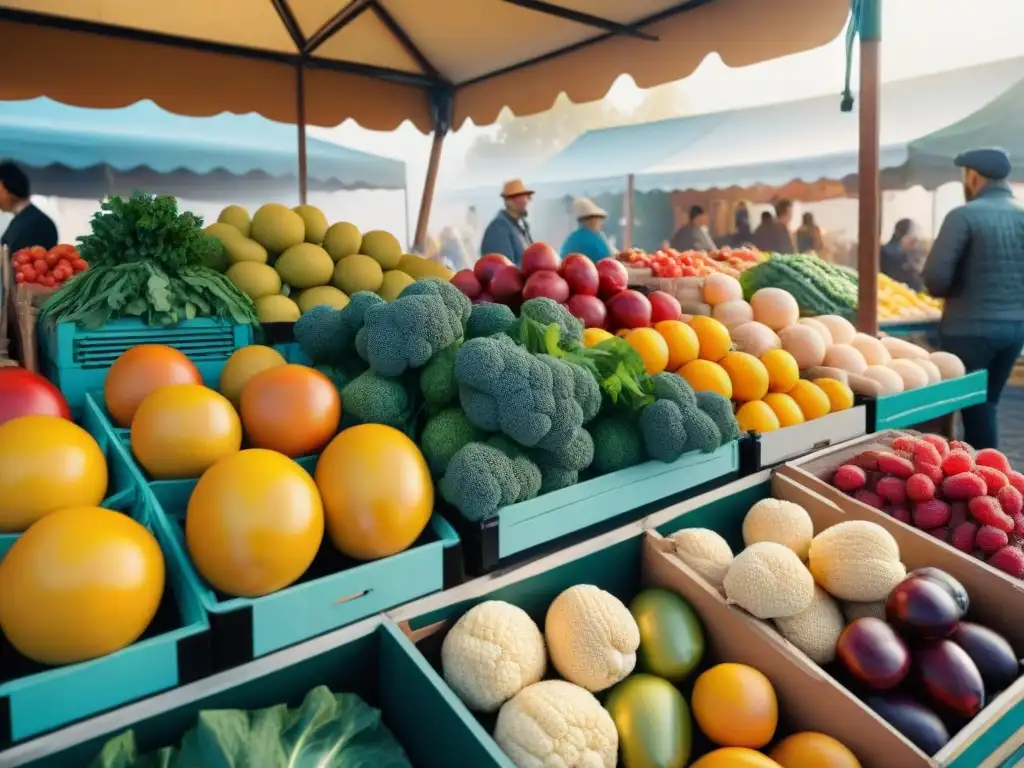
(373,660)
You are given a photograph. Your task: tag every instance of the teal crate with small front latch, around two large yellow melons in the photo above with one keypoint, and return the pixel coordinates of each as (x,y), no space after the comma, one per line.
(335,592)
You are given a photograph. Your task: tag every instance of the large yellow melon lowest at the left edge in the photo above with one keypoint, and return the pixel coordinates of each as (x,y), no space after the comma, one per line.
(81,583)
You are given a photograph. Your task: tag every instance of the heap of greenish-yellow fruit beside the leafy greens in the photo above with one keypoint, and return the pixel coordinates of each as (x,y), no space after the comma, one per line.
(289,261)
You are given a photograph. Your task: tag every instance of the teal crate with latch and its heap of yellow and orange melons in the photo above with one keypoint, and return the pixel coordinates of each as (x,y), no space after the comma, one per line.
(285,527)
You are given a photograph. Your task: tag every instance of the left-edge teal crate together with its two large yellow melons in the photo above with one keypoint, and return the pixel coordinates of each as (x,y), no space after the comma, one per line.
(94,612)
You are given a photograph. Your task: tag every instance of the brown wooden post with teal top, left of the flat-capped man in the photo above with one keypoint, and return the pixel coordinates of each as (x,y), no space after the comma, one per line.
(870,200)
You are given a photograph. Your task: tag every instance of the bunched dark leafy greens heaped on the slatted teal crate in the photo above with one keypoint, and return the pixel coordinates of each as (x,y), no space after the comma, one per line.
(148,261)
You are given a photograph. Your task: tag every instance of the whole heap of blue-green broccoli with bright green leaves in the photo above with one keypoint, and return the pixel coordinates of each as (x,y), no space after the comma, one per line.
(503,408)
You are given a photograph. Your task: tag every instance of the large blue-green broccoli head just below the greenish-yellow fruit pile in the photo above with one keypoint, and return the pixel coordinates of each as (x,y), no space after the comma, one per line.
(407,333)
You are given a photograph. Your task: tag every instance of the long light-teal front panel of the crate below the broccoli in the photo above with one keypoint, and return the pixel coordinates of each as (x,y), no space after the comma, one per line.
(553,520)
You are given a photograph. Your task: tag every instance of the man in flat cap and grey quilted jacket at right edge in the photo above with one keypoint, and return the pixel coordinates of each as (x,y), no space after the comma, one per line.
(977,266)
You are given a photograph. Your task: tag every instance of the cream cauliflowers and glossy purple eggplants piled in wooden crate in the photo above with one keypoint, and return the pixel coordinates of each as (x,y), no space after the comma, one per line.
(842,596)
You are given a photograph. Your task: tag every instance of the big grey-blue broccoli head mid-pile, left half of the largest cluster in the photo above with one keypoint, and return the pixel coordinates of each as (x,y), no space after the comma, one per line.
(504,389)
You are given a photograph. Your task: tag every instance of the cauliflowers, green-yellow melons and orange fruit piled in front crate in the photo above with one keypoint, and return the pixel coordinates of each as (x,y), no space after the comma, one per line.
(496,659)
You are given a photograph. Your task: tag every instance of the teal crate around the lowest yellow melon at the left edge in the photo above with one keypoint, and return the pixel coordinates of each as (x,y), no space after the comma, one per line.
(175,651)
